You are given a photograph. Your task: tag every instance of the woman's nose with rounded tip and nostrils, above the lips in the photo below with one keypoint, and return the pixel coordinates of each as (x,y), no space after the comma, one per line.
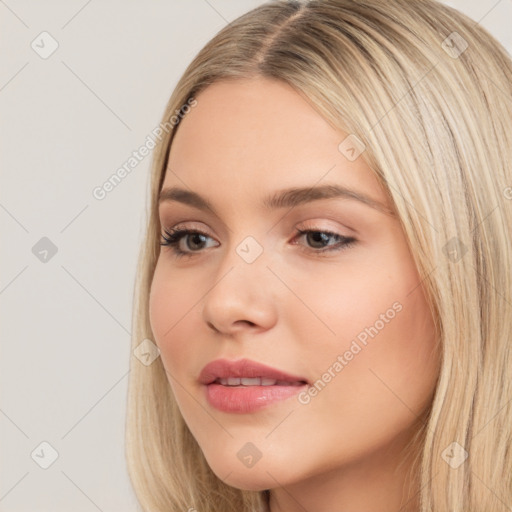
(242,297)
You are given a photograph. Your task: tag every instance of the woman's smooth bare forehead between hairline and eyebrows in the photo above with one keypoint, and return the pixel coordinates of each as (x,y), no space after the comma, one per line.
(258,135)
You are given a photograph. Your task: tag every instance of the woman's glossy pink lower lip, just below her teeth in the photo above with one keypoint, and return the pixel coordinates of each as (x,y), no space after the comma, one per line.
(245,399)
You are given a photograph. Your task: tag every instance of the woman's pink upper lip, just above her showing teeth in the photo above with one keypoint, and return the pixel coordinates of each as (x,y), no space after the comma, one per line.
(224,368)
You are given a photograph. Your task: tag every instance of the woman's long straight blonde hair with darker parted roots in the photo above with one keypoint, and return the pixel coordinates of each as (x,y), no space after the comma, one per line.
(428,91)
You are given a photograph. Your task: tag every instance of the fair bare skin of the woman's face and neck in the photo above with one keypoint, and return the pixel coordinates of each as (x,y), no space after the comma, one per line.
(293,308)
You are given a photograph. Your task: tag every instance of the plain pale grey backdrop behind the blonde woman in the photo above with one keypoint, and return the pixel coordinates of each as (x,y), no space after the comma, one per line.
(69,120)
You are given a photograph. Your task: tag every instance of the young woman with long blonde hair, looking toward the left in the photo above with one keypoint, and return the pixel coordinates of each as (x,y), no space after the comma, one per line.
(327,269)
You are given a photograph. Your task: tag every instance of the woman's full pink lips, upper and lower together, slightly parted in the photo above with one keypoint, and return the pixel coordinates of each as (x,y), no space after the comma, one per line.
(246,399)
